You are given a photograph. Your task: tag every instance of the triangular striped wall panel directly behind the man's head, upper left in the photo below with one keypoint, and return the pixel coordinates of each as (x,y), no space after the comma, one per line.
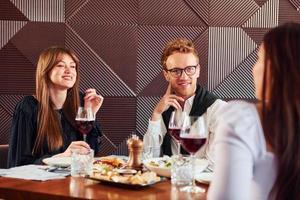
(151,42)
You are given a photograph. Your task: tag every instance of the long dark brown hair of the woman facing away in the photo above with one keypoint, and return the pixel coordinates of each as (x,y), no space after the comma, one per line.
(281,111)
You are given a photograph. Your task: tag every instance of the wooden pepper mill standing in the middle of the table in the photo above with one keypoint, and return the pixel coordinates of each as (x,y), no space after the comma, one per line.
(135,149)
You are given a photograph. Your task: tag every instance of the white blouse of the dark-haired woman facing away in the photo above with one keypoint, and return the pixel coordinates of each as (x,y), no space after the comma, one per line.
(244,169)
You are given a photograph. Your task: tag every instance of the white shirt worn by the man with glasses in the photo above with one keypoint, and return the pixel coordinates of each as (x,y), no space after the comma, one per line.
(157,130)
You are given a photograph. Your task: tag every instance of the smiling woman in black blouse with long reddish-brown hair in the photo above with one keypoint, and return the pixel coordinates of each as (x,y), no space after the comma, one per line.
(44,124)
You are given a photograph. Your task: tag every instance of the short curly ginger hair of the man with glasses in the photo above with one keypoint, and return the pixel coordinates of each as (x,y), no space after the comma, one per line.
(180,45)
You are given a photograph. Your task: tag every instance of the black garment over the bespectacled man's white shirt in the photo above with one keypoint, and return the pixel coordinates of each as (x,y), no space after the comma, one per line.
(203,99)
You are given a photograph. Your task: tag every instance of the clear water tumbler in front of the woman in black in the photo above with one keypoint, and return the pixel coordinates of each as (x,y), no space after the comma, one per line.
(82,164)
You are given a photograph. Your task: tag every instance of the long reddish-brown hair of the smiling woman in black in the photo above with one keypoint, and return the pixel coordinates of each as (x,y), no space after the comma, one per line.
(48,125)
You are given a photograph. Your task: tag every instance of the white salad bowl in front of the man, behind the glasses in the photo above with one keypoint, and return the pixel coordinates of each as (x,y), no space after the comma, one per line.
(201,164)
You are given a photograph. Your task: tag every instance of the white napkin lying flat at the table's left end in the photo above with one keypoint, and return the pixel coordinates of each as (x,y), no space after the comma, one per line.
(31,172)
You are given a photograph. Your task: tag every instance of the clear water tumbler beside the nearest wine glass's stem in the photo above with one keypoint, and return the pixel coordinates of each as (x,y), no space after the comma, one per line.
(181,170)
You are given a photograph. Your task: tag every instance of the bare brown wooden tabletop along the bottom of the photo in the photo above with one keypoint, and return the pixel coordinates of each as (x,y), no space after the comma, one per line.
(82,188)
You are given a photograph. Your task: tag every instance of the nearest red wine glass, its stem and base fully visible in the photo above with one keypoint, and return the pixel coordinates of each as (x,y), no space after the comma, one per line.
(193,136)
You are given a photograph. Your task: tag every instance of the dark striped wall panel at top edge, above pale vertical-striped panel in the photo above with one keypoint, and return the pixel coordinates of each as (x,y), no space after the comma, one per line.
(239,11)
